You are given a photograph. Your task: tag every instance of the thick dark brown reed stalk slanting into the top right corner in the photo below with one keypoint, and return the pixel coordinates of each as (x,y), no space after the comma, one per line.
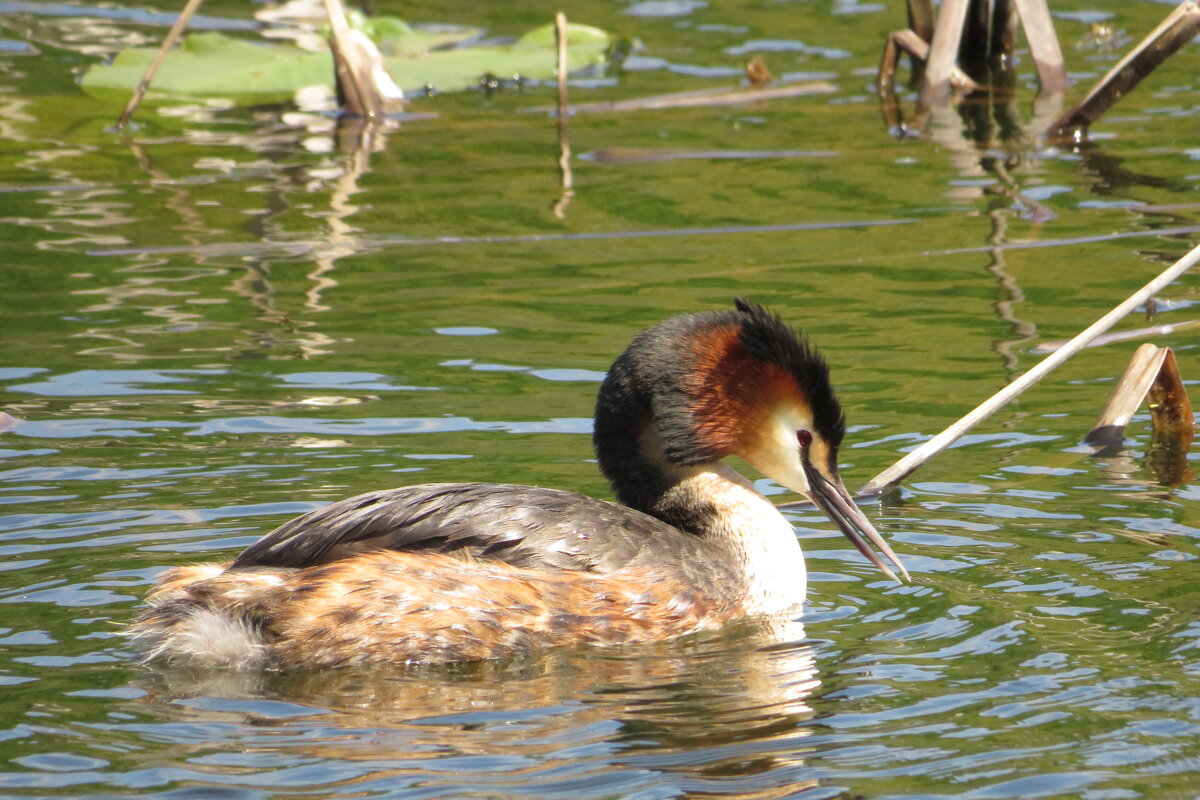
(1175,32)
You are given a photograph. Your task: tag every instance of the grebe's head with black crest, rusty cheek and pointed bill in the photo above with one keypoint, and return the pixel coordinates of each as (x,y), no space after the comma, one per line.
(710,386)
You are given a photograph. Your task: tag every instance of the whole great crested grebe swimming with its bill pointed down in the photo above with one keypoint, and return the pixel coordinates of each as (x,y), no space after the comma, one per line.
(465,572)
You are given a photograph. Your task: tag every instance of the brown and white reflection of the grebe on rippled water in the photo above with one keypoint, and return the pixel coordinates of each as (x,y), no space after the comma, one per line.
(587,723)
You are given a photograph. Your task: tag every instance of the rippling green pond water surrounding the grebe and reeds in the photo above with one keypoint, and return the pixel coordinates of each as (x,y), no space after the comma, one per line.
(220,321)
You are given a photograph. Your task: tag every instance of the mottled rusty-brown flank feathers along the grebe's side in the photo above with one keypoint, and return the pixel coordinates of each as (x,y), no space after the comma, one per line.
(393,607)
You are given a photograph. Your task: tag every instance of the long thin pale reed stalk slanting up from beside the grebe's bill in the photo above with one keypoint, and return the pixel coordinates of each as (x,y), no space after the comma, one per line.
(911,462)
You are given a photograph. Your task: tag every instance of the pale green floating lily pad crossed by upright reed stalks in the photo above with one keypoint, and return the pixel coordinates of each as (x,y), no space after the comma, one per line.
(213,65)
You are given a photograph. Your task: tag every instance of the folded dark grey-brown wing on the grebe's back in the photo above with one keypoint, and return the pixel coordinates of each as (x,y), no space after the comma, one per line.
(523,526)
